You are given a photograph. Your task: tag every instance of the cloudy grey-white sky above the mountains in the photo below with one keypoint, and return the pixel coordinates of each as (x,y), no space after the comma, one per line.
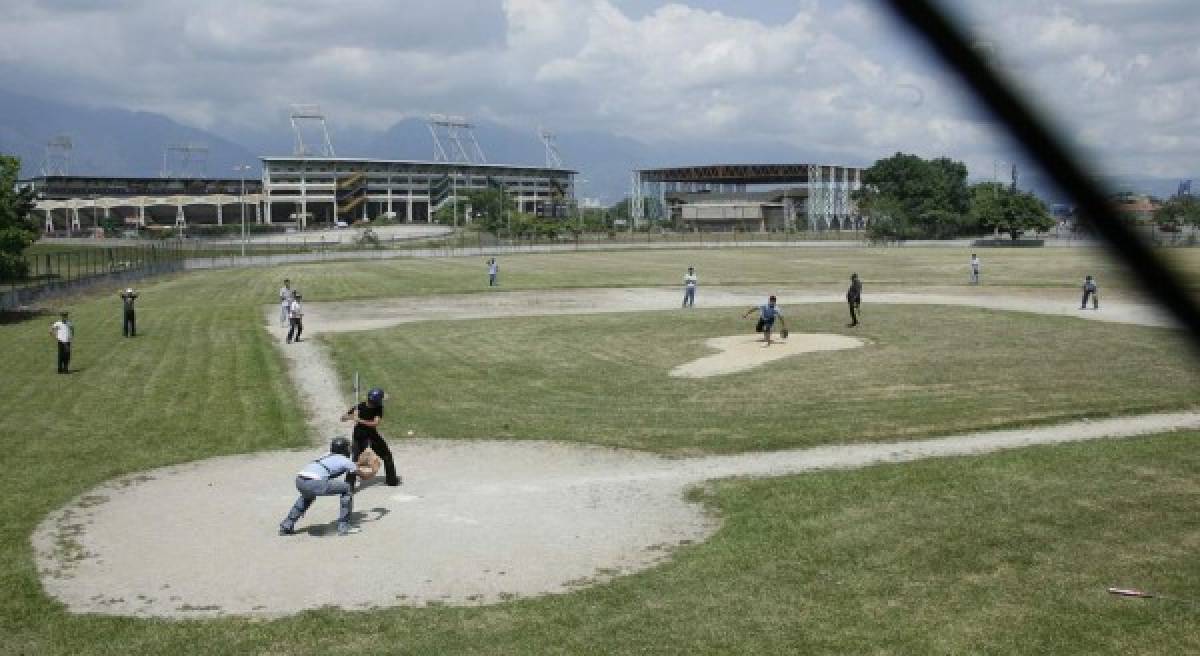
(838,77)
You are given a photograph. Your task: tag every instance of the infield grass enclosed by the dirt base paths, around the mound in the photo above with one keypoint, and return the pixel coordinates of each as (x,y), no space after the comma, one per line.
(927,371)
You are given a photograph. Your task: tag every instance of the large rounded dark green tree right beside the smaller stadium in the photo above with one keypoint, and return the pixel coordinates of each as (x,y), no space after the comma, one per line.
(929,197)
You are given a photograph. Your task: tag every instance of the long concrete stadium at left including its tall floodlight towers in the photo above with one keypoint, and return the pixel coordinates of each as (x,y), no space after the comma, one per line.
(310,188)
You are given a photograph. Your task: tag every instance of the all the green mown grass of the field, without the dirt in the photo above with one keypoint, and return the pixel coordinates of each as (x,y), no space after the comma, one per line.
(999,555)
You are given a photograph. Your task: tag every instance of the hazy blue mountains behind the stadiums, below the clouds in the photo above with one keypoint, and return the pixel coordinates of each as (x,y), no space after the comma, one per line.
(117,142)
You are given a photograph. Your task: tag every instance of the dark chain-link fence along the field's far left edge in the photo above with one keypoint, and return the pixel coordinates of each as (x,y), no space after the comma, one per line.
(52,275)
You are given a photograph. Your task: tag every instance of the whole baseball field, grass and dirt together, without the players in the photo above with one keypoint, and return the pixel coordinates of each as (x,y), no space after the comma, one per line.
(968,477)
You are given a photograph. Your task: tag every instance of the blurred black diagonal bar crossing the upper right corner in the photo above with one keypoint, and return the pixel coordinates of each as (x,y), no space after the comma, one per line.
(1043,147)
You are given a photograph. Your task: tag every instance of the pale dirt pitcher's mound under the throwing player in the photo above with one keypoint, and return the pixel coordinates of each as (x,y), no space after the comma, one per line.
(747,352)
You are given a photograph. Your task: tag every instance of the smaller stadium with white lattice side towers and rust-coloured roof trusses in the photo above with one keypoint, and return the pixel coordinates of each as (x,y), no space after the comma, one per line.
(749,197)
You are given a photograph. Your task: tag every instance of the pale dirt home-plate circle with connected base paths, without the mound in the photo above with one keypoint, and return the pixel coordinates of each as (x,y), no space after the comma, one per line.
(476,522)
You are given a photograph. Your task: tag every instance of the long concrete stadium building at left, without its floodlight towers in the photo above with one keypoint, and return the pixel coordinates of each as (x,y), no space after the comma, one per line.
(297,191)
